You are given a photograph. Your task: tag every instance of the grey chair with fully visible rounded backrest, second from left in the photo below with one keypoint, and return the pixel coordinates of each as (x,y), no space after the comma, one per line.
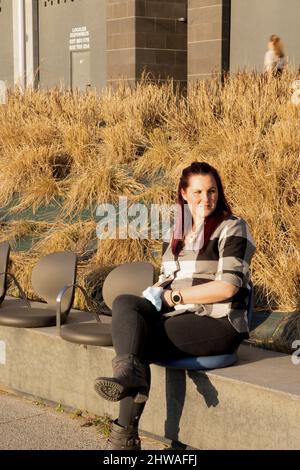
(50,274)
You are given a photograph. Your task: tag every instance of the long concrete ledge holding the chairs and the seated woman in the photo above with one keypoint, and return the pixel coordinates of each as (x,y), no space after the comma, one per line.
(252,405)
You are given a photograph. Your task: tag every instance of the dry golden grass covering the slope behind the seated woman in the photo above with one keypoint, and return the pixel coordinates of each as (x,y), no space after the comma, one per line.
(90,148)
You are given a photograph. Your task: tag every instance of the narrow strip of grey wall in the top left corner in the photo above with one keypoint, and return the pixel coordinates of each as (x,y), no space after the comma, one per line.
(6,43)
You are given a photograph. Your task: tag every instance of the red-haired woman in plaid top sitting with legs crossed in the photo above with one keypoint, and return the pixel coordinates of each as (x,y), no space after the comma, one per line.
(205,276)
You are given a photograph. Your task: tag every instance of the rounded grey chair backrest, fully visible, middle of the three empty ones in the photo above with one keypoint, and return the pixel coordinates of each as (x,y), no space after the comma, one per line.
(51,274)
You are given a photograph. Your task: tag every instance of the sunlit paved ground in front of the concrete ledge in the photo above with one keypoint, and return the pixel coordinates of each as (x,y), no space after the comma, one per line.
(28,425)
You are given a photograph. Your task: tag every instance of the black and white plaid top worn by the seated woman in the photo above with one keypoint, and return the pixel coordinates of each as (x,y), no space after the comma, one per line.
(227,257)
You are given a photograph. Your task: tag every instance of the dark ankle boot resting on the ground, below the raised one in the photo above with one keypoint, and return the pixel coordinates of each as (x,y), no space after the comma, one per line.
(123,438)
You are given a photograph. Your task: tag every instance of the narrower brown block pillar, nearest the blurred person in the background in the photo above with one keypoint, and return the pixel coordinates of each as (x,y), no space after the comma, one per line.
(208,37)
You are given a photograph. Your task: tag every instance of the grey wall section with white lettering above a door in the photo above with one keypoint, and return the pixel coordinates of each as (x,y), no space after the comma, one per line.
(63,25)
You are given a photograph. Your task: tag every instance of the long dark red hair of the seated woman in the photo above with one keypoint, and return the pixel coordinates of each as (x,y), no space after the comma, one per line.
(221,212)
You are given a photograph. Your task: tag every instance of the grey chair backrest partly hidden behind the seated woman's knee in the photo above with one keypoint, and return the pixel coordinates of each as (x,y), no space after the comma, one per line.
(129,278)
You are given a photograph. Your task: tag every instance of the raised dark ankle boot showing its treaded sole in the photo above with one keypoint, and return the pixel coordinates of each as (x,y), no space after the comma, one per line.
(129,380)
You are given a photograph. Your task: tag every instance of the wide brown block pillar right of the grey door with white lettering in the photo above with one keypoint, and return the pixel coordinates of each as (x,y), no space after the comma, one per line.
(146,35)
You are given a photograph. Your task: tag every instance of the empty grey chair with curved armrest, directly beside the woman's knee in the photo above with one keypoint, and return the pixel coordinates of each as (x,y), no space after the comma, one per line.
(128,278)
